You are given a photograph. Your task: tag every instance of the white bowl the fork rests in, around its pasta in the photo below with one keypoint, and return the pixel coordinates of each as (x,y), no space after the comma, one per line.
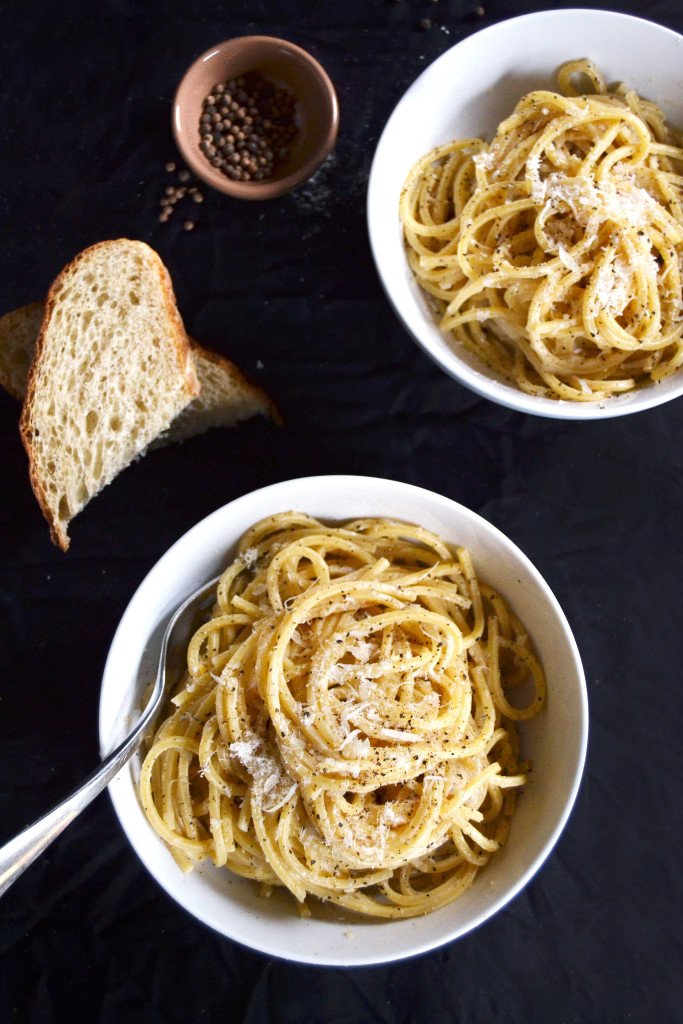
(556,741)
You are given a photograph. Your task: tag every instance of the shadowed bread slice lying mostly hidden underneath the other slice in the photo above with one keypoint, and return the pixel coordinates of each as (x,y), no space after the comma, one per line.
(227,397)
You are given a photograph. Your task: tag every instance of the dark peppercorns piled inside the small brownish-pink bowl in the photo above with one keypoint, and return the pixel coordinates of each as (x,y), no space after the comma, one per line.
(248,127)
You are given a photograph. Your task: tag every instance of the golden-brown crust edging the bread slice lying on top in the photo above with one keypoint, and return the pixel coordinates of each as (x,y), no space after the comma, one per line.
(180,342)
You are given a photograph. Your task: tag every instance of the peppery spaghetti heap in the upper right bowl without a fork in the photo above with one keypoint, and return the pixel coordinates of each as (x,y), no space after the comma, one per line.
(556,253)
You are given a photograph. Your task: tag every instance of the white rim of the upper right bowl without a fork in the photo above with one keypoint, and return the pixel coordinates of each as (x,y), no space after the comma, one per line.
(493,388)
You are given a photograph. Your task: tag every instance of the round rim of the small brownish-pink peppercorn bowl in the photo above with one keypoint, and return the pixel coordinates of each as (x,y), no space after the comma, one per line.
(275,187)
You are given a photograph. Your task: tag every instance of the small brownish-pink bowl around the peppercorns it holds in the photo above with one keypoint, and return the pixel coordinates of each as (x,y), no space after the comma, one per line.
(287,66)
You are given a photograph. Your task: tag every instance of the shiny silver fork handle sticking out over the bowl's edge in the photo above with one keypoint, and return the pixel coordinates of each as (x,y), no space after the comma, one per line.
(23,850)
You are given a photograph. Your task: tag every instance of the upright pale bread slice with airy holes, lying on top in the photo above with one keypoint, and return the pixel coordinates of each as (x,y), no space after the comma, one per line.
(112,370)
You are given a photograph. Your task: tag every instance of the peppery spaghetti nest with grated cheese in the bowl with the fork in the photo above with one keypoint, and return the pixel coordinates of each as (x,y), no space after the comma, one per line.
(347,724)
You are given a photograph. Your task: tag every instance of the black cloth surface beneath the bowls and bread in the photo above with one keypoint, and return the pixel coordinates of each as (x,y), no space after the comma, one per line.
(288,290)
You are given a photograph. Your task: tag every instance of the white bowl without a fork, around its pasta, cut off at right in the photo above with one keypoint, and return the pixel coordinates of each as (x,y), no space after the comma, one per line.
(466,94)
